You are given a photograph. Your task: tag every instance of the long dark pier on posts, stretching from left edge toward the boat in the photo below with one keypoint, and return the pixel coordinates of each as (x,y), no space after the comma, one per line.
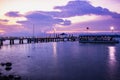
(36,39)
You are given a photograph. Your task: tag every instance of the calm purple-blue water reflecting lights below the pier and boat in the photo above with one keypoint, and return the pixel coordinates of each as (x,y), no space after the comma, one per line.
(63,61)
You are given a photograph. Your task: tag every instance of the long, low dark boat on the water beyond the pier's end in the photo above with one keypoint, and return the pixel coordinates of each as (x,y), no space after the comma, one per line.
(98,38)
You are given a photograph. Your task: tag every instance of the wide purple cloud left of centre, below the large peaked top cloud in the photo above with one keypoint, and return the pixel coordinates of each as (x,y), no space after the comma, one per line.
(43,19)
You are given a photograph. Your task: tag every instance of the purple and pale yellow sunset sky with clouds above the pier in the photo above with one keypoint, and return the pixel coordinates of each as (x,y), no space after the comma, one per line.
(18,17)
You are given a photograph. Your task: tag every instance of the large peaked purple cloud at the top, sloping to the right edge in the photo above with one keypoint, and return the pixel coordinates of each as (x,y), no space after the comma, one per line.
(79,8)
